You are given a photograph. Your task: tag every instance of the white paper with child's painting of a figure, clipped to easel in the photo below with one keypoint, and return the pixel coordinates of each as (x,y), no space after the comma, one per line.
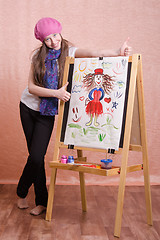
(97,102)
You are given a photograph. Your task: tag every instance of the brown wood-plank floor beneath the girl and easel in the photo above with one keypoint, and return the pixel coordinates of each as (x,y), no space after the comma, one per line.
(68,220)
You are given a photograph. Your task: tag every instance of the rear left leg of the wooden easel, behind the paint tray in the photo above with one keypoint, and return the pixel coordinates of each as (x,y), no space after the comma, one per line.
(82,185)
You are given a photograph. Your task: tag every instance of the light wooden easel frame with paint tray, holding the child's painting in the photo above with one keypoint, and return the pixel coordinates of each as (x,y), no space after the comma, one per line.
(136,85)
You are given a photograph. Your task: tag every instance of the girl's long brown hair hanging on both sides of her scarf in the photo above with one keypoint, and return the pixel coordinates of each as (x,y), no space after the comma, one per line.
(38,61)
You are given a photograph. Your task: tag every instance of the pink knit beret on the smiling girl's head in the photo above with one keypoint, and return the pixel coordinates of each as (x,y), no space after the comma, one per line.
(45,27)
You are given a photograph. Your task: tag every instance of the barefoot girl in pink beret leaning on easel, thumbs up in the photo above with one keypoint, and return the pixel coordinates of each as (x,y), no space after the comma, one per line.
(39,104)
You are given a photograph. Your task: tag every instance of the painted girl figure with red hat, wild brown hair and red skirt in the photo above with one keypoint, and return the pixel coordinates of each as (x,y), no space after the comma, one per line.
(97,84)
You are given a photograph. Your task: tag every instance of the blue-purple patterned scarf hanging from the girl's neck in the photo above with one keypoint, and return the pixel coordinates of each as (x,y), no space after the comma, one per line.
(49,105)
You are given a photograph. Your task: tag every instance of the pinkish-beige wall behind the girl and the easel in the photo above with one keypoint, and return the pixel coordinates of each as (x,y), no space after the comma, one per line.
(87,23)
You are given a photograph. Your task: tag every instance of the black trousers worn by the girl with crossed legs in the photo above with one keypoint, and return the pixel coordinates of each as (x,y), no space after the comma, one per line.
(37,130)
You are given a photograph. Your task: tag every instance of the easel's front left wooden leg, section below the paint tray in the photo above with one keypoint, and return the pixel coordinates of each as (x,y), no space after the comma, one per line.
(51,195)
